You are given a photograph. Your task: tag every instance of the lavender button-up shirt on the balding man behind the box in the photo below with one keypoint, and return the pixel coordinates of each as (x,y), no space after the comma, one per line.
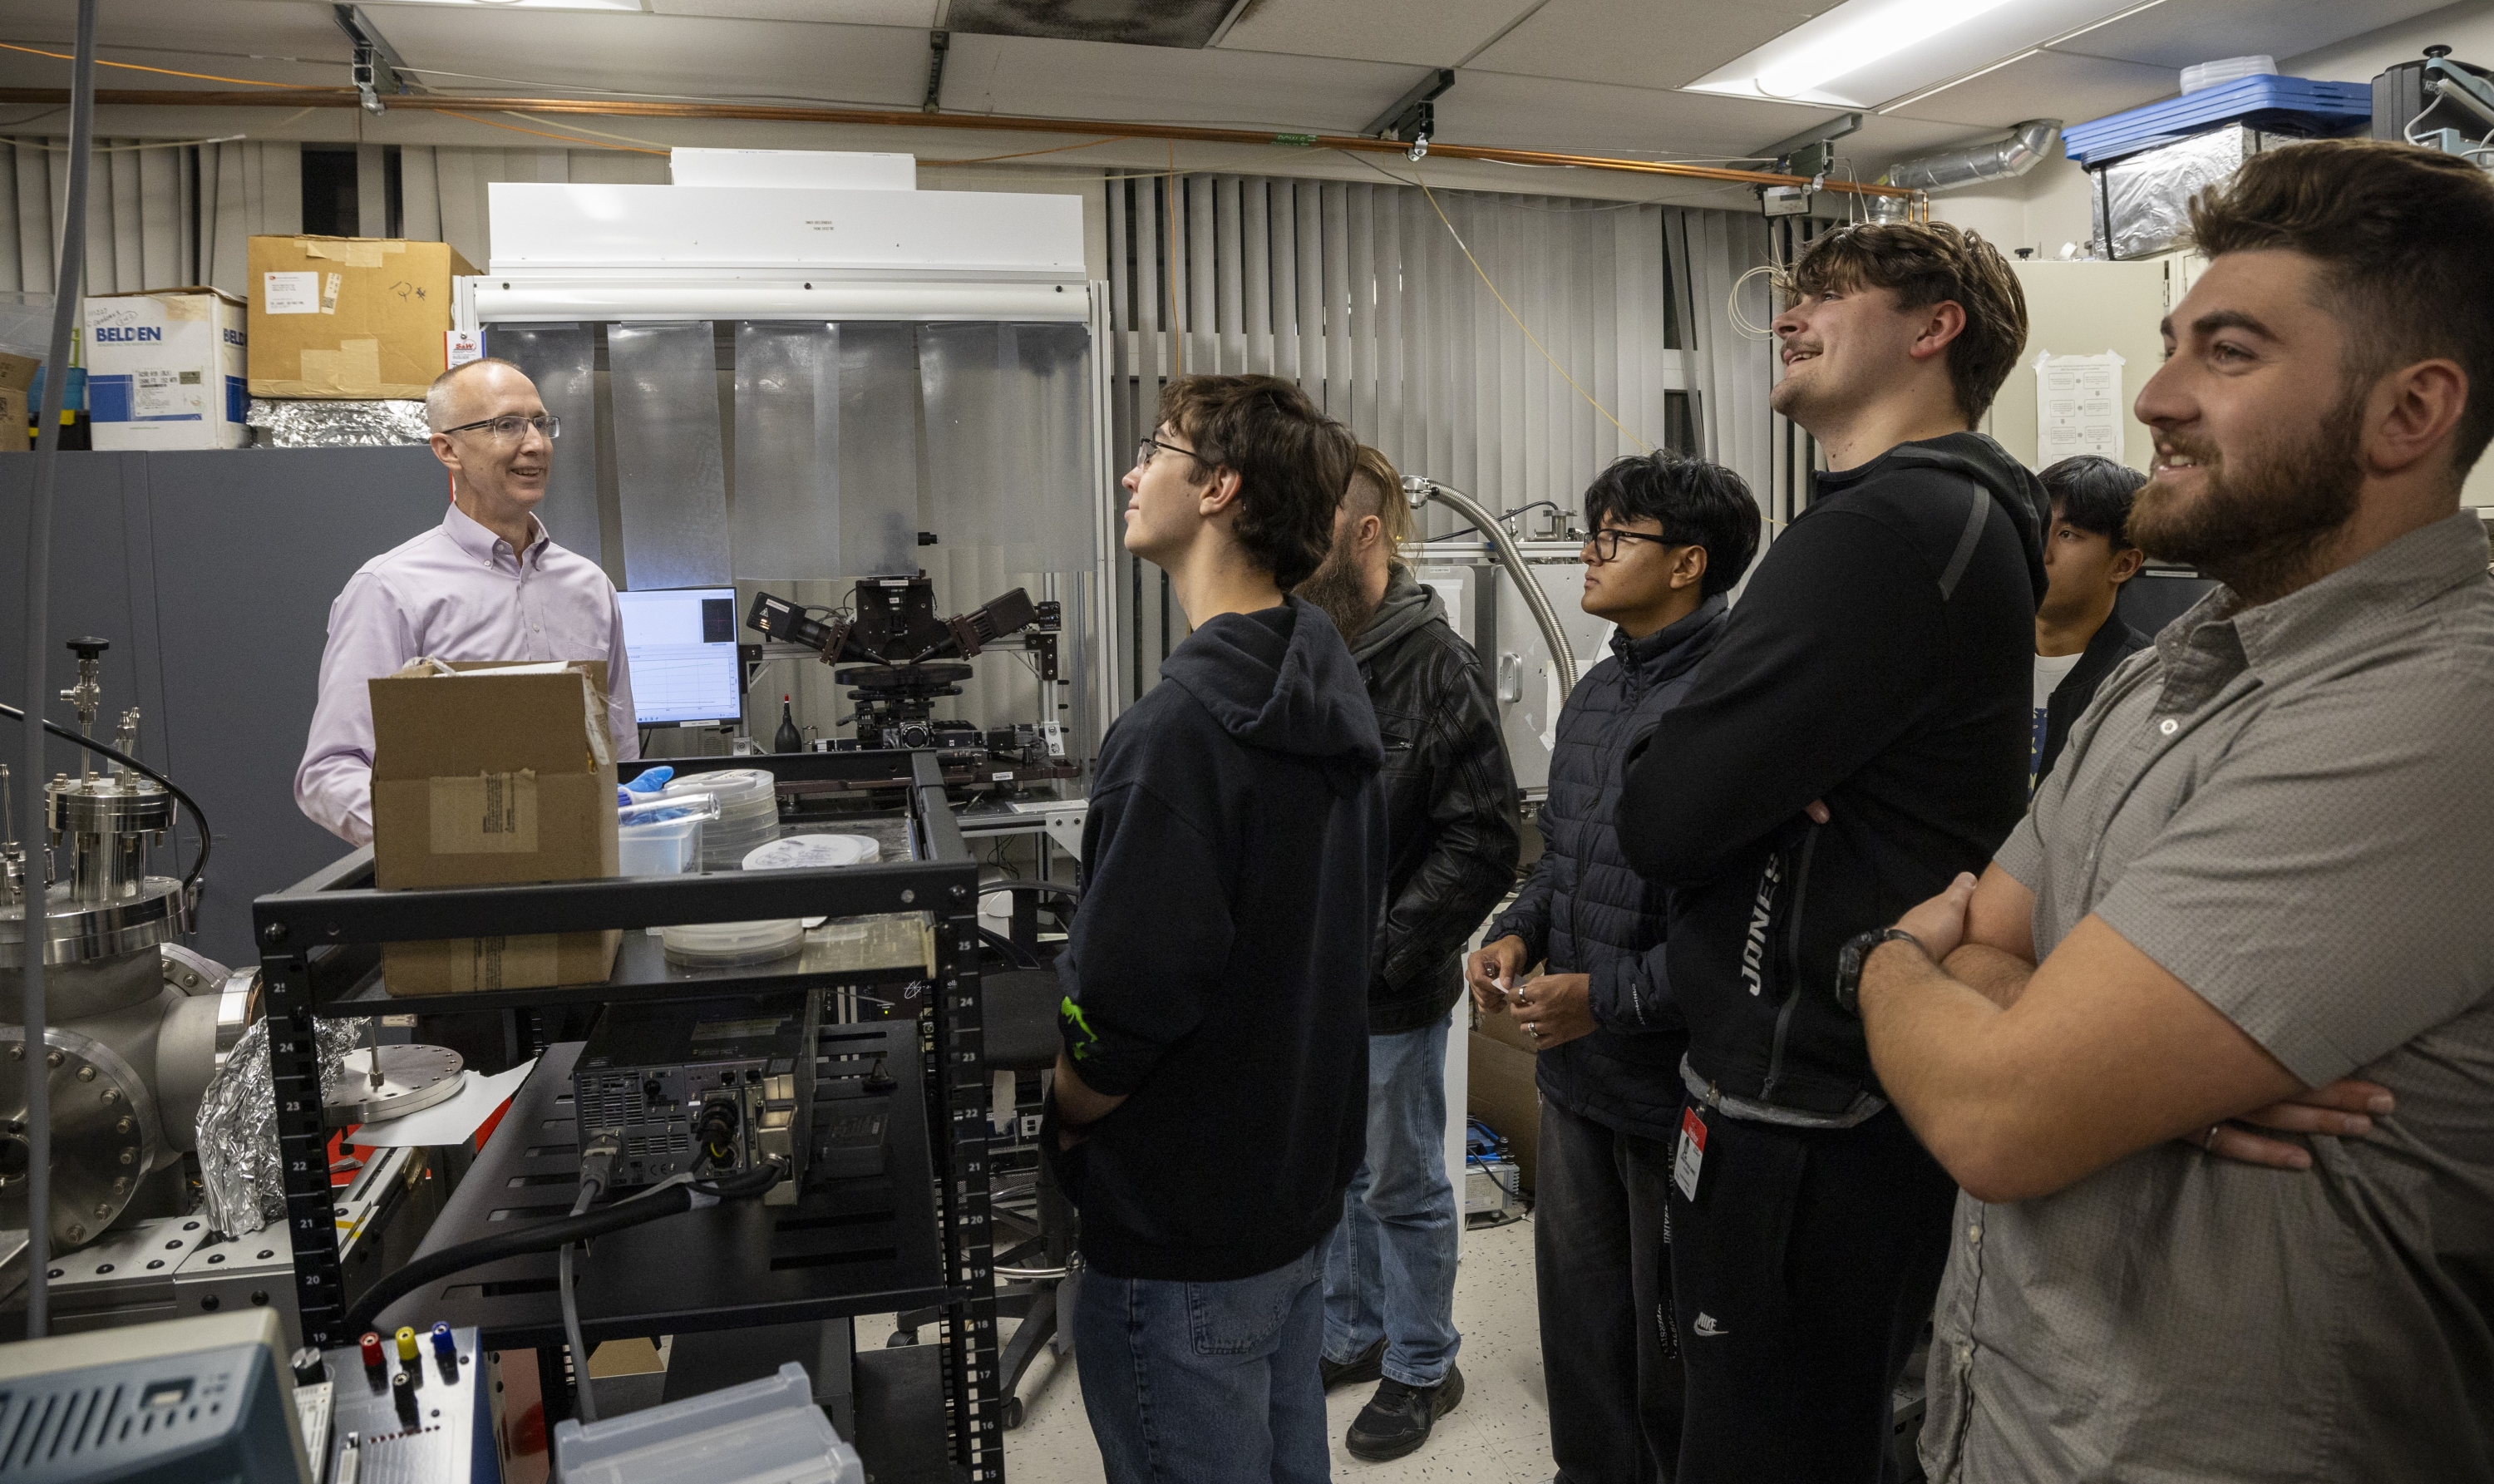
(460,595)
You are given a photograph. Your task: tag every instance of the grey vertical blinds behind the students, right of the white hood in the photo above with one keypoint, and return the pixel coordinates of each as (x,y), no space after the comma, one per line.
(1370,303)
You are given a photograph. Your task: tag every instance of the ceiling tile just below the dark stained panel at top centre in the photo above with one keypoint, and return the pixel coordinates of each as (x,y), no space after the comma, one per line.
(1218,89)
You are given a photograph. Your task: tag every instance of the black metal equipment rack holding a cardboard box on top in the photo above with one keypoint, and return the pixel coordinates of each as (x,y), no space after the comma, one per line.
(320,956)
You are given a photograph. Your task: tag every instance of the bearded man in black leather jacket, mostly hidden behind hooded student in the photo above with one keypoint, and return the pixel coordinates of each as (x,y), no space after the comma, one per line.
(1453,842)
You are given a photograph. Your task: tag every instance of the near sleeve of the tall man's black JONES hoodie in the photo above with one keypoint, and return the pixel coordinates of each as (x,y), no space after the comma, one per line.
(1839,625)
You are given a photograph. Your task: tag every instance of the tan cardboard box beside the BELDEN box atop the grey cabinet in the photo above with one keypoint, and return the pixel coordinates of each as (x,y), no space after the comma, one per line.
(358,318)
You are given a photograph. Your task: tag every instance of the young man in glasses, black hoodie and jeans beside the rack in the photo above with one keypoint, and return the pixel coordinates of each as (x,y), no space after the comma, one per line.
(1211,1101)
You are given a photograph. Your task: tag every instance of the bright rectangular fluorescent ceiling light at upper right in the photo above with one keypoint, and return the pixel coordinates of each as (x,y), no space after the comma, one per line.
(1872,51)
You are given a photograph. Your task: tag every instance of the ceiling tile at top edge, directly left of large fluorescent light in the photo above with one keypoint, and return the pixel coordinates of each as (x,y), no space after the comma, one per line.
(1637,44)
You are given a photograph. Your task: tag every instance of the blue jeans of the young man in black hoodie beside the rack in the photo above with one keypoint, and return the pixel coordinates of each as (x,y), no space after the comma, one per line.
(1206,1383)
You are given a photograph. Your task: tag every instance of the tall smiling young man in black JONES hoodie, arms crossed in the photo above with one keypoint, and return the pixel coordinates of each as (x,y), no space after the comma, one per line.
(1854,742)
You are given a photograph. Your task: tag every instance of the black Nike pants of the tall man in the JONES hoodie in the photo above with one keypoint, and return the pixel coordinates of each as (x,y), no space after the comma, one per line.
(1804,1273)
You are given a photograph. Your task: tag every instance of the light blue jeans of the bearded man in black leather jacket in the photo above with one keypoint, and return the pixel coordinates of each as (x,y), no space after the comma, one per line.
(1390,1263)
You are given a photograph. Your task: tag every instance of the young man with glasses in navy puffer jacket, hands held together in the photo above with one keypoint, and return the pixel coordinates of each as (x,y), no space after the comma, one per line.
(1670,542)
